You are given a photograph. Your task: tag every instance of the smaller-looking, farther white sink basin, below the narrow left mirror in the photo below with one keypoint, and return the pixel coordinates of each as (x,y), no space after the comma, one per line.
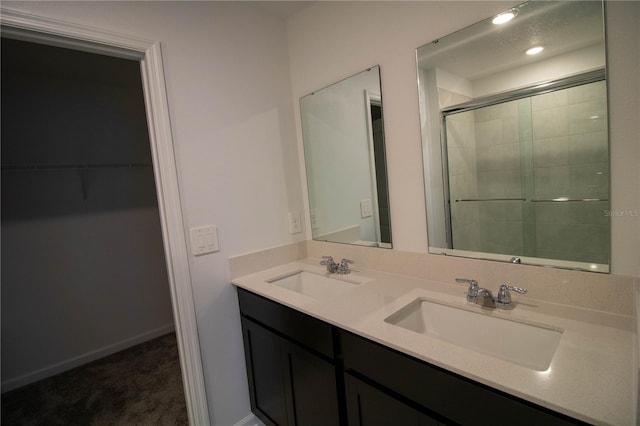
(313,285)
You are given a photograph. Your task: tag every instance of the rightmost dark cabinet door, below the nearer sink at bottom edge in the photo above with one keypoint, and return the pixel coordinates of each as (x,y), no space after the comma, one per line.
(369,406)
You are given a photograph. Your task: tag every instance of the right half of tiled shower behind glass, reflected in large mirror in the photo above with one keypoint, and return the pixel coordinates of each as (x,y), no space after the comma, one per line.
(571,160)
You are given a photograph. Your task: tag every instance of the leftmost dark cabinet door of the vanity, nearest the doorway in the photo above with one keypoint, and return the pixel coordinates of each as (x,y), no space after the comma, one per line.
(263,357)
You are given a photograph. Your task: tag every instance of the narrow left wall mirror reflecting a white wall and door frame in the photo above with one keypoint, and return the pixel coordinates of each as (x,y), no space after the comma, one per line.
(344,151)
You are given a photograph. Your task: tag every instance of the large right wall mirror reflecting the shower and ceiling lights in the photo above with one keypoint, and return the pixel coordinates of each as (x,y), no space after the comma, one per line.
(515,144)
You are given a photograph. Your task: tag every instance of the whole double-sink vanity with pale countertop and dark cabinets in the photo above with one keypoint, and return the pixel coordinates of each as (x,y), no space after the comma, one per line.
(360,353)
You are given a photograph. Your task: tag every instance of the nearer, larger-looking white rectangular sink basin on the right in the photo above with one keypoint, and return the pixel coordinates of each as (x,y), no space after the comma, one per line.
(527,344)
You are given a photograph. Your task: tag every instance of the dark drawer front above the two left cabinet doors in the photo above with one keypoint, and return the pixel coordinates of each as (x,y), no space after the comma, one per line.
(303,329)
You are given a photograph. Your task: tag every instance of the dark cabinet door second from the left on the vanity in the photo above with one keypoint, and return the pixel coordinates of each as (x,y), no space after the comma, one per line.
(311,384)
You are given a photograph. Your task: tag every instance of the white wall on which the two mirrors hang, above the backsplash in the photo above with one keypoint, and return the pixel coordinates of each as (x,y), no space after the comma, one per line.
(330,40)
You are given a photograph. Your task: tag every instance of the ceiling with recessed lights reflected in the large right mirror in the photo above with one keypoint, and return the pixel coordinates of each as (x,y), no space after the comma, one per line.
(484,48)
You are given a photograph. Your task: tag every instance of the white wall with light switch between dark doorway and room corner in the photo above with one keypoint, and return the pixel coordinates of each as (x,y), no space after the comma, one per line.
(227,78)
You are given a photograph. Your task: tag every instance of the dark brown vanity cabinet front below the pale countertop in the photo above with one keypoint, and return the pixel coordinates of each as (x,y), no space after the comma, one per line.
(303,371)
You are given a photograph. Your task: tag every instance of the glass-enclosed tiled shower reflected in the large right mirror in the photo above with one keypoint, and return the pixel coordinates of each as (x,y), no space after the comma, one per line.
(527,174)
